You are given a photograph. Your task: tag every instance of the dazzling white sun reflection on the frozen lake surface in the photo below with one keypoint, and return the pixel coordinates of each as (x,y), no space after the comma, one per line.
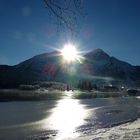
(66,117)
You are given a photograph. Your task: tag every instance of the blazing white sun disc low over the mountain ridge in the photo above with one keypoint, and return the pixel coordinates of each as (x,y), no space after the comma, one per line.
(69,52)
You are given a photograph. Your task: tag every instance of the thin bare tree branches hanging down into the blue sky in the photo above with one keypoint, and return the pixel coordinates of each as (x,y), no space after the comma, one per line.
(66,12)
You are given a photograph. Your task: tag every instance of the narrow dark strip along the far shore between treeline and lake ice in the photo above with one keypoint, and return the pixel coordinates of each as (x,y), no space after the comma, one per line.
(7,95)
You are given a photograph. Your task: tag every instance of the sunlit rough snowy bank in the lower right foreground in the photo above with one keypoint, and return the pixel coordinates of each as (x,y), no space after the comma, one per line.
(128,131)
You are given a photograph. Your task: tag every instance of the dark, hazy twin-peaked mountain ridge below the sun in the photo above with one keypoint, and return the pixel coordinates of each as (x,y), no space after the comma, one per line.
(97,67)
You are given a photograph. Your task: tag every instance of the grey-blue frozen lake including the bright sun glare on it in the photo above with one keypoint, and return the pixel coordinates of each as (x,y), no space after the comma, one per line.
(64,119)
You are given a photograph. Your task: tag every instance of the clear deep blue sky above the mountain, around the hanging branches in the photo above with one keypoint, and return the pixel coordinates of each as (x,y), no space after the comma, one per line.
(26,29)
